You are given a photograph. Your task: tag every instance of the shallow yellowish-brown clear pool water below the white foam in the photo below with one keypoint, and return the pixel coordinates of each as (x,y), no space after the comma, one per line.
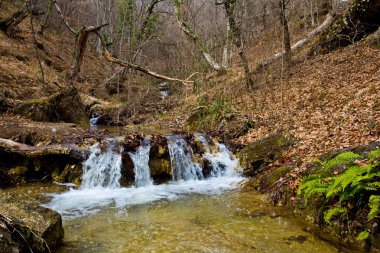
(233,221)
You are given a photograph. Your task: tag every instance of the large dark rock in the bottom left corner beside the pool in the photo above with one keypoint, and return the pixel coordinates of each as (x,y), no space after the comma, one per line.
(40,227)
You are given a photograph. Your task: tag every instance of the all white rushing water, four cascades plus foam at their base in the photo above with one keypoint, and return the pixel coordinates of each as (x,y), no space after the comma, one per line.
(102,172)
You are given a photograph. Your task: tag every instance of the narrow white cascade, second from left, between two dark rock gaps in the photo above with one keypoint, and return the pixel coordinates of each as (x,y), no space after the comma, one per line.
(140,161)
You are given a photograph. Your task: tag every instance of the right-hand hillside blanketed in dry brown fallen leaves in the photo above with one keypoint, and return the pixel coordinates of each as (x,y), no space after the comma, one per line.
(330,102)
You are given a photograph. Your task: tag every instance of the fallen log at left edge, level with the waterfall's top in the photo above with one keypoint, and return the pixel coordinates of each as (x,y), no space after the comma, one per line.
(38,151)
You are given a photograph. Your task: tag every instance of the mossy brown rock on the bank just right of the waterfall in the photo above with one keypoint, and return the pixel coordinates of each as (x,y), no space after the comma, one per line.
(254,156)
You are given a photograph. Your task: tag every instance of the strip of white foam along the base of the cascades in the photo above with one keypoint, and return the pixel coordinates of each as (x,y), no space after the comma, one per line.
(76,203)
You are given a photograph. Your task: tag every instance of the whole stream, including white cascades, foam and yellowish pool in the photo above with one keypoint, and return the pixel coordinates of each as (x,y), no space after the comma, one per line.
(193,212)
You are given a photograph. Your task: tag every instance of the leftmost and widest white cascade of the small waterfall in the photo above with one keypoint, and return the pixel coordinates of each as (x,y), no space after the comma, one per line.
(102,169)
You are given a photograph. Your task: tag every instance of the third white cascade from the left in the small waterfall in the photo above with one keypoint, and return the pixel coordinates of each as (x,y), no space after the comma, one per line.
(182,165)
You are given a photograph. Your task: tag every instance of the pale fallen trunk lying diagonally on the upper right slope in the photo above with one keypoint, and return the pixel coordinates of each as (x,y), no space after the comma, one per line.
(316,31)
